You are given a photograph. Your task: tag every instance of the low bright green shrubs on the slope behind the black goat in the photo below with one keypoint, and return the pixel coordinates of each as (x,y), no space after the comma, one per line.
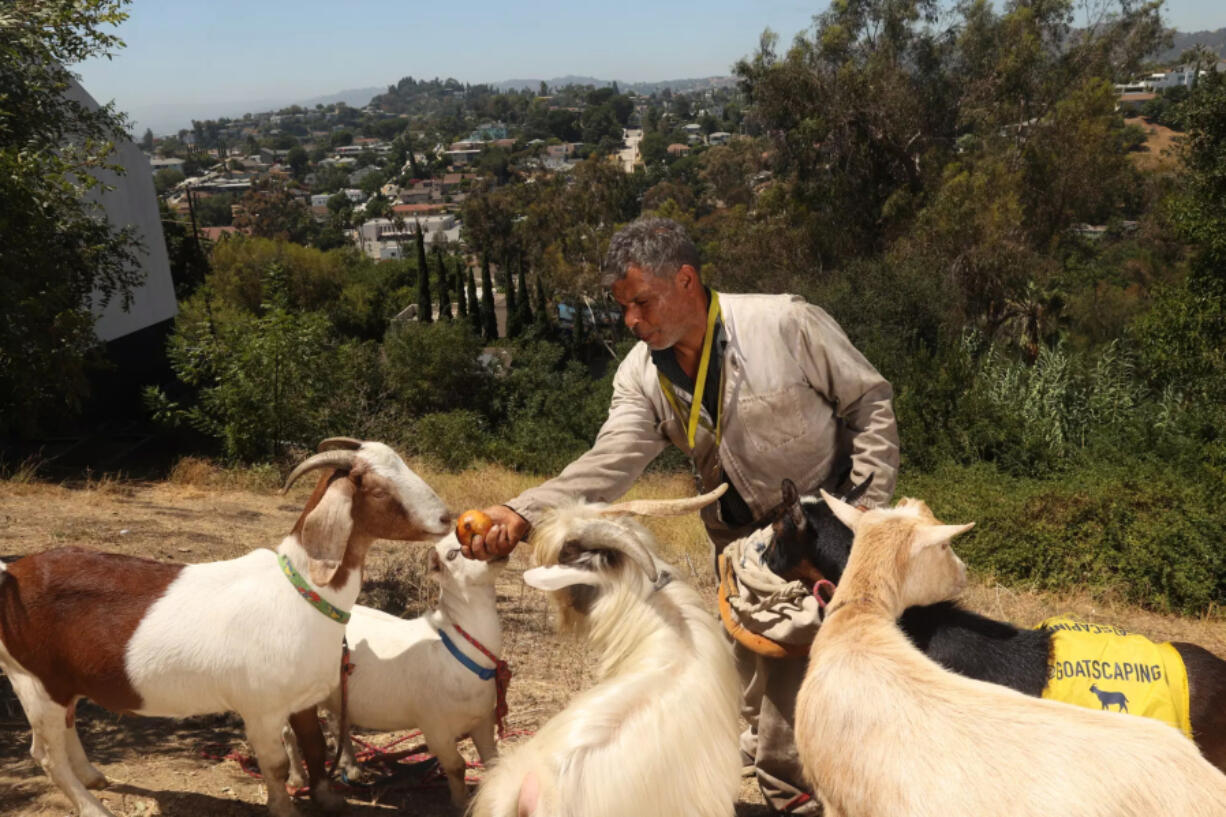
(1147,532)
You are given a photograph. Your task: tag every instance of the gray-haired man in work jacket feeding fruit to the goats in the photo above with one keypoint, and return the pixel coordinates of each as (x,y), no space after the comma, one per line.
(780,392)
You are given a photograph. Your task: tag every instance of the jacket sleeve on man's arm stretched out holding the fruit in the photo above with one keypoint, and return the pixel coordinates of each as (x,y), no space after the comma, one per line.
(627,443)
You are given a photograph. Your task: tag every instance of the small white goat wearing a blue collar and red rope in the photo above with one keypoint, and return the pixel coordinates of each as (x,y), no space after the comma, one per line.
(424,673)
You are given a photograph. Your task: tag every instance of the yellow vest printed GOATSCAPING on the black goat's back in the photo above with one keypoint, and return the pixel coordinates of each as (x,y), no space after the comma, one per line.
(1100,667)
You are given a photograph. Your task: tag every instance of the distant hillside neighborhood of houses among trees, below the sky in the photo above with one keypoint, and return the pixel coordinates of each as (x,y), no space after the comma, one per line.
(372,177)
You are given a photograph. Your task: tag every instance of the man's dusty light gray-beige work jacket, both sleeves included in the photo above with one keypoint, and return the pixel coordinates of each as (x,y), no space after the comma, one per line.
(799,399)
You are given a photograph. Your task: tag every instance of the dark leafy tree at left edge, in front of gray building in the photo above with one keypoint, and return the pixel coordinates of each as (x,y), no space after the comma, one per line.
(58,256)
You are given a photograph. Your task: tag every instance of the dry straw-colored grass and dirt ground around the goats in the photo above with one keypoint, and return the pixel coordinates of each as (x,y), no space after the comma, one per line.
(175,769)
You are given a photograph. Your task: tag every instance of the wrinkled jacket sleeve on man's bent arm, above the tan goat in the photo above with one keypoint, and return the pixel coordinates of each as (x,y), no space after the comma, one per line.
(861,397)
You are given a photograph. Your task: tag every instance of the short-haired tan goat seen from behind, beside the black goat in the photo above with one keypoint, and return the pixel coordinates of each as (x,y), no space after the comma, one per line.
(882,729)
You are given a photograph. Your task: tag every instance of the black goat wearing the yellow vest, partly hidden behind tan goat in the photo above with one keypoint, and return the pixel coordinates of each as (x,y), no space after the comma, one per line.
(809,543)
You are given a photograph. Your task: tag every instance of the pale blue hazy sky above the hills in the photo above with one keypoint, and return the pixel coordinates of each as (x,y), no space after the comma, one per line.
(226,51)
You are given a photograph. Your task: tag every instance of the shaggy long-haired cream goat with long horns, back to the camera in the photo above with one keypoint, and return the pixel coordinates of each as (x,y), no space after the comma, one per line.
(658,734)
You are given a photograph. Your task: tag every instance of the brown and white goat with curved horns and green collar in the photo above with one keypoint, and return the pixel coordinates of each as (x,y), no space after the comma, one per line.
(159,639)
